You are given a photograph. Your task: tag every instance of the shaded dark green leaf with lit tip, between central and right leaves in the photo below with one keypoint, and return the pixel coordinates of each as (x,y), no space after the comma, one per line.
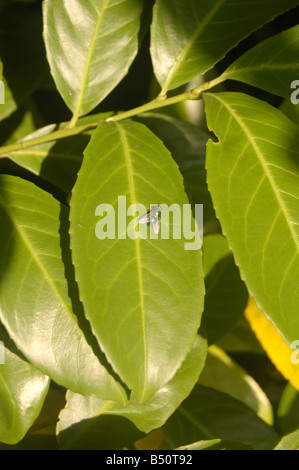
(226,294)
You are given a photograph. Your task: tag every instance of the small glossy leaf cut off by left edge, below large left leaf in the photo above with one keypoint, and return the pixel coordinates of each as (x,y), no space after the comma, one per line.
(22,392)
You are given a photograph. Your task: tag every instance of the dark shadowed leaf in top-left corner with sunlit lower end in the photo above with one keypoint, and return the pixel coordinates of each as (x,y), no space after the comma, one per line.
(22,54)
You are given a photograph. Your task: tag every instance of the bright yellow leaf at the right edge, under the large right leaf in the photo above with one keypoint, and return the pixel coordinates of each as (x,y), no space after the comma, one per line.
(285,359)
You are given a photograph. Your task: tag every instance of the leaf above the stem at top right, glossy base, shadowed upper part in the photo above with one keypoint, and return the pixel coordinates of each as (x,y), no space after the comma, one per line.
(190,37)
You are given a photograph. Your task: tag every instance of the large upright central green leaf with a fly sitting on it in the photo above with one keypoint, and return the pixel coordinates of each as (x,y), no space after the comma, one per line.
(143,296)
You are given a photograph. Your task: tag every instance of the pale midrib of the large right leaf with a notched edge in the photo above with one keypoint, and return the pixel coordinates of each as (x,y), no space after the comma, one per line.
(264,166)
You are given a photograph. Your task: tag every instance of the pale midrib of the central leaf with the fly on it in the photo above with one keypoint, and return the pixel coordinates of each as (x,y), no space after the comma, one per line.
(132,191)
